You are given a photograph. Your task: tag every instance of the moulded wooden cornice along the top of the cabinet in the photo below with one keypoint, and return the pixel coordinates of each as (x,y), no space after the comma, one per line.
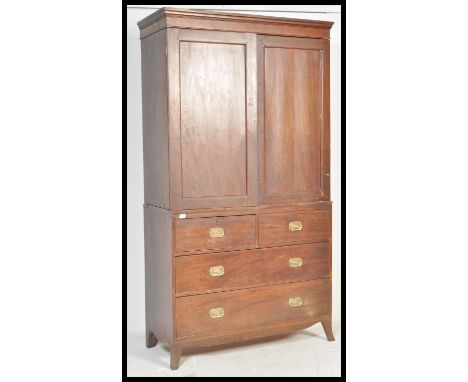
(165,13)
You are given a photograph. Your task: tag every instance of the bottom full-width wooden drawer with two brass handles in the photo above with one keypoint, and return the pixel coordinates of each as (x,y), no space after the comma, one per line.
(226,312)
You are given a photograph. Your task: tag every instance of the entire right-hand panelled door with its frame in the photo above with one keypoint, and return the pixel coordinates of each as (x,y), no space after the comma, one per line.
(293,102)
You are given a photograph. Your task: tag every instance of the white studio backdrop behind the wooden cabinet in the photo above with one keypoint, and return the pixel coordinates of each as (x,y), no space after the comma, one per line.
(135,243)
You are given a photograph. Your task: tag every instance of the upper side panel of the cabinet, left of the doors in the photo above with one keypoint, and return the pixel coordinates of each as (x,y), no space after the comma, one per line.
(155,119)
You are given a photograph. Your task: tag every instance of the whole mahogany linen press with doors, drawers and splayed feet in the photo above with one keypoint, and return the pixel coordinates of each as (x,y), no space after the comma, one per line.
(237,177)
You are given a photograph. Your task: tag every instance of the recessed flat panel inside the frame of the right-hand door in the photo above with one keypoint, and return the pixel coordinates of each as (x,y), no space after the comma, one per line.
(292,120)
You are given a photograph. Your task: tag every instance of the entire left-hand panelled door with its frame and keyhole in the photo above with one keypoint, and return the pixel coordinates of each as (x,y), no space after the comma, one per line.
(212,118)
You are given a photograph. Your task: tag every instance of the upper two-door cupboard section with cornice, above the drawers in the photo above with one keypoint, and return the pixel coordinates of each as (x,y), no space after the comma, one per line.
(235,110)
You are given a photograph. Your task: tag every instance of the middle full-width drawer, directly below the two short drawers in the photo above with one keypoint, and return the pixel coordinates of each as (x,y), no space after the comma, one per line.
(230,270)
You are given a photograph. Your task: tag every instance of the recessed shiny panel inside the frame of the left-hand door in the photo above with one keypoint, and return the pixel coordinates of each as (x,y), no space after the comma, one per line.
(212,89)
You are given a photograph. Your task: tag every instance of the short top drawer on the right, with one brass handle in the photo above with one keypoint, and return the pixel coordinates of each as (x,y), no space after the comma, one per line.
(294,227)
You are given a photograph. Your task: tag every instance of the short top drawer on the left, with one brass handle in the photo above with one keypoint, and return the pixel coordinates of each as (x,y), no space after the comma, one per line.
(230,232)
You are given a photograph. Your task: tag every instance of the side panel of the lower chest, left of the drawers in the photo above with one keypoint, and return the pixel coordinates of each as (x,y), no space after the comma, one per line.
(158,273)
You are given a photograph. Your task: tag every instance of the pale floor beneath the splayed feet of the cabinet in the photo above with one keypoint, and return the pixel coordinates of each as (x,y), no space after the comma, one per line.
(305,353)
